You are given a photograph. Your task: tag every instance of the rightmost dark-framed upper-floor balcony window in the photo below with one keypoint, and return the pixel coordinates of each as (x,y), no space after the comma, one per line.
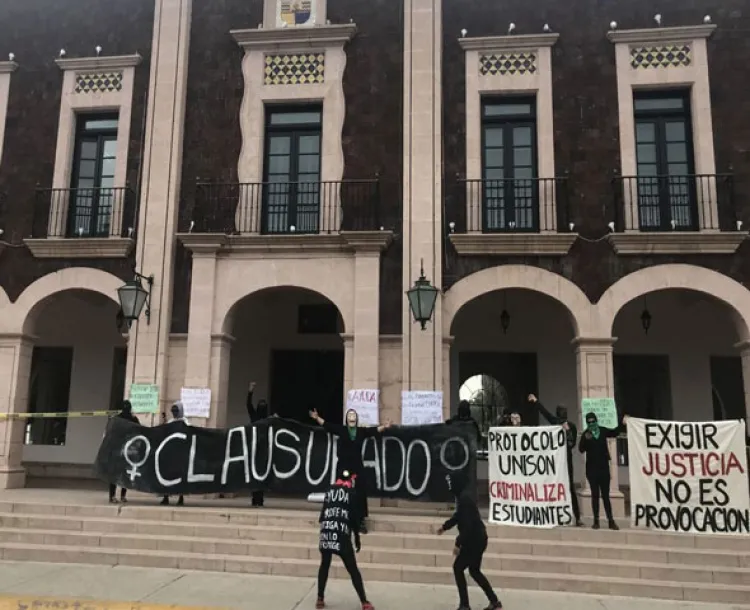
(664,157)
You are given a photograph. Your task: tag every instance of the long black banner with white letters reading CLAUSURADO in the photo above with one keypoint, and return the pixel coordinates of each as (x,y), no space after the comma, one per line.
(282,455)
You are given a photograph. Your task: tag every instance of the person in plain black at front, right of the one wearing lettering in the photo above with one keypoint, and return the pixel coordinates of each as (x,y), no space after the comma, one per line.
(471,542)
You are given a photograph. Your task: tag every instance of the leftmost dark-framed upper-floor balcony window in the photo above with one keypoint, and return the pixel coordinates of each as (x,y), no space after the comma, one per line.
(92,196)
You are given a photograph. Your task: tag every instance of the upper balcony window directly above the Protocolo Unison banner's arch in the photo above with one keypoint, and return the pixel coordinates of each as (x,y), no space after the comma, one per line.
(509,165)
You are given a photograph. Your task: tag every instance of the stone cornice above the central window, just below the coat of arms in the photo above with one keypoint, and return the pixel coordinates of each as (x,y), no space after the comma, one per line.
(315,36)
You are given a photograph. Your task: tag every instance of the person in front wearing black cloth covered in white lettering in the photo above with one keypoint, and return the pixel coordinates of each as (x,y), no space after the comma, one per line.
(339,521)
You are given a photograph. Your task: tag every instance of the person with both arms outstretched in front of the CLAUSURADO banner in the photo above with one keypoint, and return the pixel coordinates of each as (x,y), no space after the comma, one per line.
(349,451)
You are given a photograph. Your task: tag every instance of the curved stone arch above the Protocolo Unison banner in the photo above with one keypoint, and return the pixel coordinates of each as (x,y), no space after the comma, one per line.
(525,277)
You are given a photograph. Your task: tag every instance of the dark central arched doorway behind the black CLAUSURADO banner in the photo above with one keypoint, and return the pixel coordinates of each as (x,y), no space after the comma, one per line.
(289,341)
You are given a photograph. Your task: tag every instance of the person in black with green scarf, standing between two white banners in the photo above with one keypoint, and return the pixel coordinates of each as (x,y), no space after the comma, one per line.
(594,444)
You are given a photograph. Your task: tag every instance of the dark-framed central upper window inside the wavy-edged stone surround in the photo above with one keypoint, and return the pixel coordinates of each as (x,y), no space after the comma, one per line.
(291,194)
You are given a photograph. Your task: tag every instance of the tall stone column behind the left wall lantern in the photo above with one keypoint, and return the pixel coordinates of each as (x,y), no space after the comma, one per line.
(162,172)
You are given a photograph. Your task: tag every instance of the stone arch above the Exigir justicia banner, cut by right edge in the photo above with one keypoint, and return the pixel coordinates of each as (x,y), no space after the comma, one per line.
(676,276)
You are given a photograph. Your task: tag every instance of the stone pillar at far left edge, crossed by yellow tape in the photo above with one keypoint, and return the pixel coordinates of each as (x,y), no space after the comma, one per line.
(15,373)
